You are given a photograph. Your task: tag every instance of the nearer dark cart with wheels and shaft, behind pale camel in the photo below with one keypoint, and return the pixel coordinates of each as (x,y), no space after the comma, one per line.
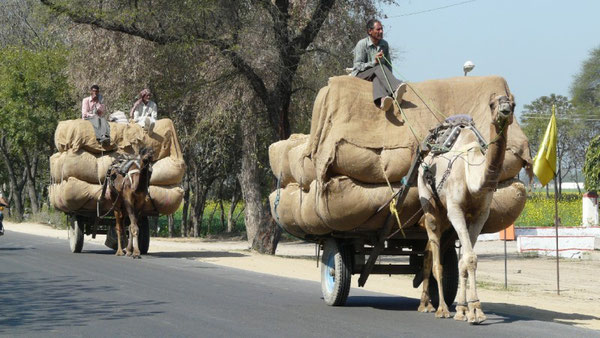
(345,253)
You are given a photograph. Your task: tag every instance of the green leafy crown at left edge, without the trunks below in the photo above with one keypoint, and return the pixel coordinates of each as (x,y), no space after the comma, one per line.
(34,95)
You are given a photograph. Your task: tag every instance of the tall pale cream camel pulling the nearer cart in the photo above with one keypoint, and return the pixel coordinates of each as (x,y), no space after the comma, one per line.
(464,178)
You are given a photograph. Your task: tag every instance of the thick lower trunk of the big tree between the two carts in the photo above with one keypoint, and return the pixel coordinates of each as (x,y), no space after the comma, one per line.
(261,231)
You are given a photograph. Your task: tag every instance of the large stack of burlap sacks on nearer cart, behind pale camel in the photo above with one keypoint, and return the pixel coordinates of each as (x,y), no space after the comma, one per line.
(335,178)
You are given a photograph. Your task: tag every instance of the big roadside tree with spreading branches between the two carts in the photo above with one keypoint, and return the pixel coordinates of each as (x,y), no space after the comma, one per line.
(261,43)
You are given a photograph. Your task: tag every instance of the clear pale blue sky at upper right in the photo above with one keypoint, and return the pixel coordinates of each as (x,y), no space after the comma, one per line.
(537,46)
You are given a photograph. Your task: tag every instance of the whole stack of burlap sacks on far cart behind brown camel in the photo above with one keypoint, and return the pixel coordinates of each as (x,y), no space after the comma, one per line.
(79,167)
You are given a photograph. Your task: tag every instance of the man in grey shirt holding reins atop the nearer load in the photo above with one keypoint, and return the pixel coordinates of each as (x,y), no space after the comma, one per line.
(370,54)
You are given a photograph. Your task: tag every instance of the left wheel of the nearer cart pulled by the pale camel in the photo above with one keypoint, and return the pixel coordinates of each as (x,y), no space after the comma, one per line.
(335,273)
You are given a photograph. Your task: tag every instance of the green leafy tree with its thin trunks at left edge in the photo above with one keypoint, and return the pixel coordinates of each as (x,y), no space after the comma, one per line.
(34,96)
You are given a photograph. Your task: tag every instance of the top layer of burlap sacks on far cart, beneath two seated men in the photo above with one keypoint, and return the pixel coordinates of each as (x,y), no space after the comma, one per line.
(127,138)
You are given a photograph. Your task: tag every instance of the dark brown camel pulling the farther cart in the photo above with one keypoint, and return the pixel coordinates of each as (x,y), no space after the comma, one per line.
(128,182)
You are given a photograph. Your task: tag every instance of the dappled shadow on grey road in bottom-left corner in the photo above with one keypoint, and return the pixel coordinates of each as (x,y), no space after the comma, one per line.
(48,303)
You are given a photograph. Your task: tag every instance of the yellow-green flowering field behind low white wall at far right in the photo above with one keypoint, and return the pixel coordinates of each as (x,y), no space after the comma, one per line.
(539,210)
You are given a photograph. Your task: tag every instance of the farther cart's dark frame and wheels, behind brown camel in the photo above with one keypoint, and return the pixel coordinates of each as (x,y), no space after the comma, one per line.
(88,223)
